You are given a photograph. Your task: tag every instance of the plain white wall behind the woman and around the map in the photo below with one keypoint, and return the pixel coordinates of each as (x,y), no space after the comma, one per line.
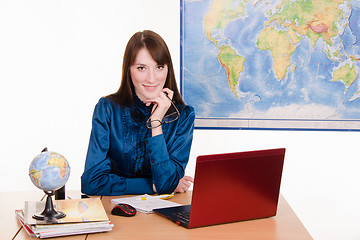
(57,58)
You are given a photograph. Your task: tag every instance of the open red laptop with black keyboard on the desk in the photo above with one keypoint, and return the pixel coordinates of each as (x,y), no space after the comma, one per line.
(231,187)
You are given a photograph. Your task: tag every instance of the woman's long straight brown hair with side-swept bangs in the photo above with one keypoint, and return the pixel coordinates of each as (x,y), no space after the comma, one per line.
(159,52)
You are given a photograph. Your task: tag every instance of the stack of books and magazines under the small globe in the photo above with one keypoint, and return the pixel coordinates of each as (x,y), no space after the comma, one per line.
(82,216)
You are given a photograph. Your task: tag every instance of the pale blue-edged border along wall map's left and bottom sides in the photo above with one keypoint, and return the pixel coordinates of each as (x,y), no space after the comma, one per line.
(231,123)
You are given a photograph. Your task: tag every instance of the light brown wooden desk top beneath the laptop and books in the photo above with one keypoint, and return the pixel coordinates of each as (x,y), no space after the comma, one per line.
(285,225)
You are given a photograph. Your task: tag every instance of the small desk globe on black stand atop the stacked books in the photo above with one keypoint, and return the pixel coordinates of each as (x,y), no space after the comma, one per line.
(49,171)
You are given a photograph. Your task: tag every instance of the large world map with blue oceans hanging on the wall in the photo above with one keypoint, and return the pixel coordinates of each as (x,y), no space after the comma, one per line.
(292,60)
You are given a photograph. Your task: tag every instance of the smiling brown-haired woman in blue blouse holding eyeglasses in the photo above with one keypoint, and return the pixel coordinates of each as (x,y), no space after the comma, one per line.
(125,154)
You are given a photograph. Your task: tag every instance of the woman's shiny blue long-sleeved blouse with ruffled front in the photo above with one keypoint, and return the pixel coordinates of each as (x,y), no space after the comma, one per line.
(123,157)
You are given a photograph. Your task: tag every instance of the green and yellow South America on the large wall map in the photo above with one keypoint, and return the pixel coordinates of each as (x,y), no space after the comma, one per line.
(233,64)
